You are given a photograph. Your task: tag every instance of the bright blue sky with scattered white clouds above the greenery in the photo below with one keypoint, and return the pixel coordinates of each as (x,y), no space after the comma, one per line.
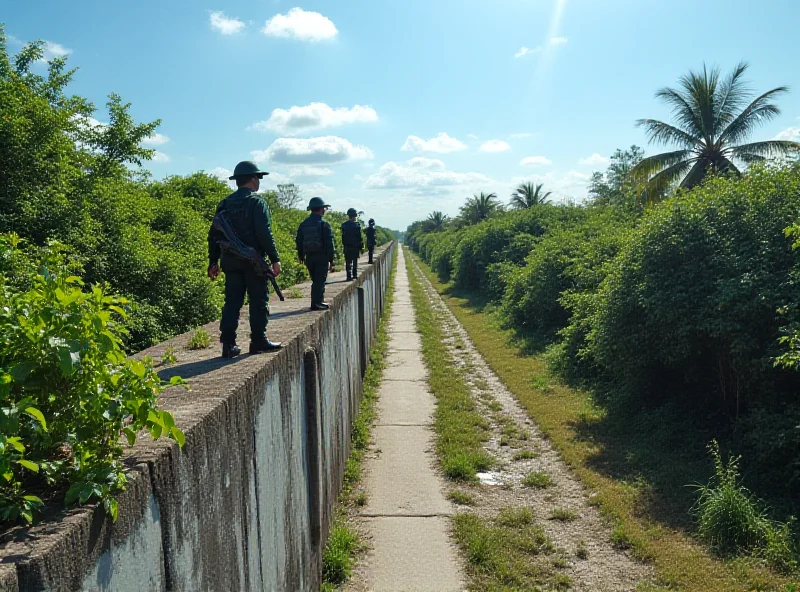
(403,108)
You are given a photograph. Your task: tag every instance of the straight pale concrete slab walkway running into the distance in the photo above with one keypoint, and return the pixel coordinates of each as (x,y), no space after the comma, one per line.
(407,515)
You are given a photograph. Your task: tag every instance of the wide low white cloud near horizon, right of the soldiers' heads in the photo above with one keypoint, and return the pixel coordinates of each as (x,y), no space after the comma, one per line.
(421,174)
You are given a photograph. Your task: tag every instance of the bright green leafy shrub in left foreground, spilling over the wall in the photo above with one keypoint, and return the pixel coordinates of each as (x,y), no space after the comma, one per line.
(57,338)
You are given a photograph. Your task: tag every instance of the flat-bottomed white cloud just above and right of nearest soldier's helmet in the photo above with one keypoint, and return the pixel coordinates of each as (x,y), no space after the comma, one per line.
(325,150)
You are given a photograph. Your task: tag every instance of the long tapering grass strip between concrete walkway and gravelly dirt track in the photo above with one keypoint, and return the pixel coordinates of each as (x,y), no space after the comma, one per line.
(460,428)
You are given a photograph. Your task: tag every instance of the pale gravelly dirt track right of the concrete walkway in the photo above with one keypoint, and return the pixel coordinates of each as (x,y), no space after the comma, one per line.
(591,561)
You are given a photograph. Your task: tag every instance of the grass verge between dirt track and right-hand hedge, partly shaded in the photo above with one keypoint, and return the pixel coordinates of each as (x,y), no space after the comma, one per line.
(637,471)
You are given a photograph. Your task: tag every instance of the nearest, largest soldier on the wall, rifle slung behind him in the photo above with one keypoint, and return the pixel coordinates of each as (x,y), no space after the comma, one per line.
(249,216)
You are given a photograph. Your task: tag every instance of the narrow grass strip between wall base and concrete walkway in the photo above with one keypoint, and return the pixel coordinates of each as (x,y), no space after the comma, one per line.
(343,542)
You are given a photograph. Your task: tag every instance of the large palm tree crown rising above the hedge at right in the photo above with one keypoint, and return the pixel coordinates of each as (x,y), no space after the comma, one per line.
(711,121)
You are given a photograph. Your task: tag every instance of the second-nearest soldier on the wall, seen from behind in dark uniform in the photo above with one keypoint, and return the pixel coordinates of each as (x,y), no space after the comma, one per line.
(315,248)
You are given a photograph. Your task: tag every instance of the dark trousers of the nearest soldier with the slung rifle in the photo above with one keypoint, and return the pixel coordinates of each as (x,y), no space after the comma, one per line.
(236,285)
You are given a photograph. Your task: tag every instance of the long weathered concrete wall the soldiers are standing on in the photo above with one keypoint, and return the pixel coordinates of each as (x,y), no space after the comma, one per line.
(247,503)
